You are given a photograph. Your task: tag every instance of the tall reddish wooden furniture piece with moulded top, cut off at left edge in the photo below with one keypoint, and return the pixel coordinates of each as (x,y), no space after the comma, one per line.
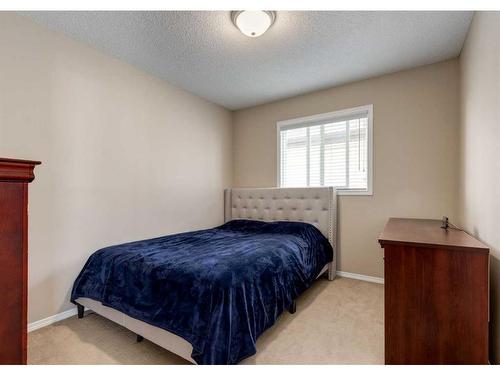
(14,178)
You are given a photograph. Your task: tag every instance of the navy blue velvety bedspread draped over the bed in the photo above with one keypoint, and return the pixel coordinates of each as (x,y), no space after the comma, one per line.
(218,288)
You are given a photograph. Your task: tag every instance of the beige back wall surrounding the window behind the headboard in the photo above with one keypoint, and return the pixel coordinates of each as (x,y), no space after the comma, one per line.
(416,116)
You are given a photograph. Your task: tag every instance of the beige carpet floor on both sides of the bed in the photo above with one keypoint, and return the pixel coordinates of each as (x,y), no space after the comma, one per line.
(337,322)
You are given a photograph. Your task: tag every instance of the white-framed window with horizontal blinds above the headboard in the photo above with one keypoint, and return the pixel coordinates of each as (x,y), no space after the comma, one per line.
(331,149)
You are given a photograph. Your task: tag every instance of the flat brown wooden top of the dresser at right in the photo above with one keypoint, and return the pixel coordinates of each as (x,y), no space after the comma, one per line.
(428,233)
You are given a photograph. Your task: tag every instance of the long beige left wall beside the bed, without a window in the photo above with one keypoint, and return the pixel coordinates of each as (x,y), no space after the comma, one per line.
(125,156)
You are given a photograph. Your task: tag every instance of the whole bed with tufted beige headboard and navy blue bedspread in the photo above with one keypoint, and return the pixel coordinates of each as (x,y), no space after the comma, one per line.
(208,295)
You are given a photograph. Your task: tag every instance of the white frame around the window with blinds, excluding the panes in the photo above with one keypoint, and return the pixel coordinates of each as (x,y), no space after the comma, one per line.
(333,116)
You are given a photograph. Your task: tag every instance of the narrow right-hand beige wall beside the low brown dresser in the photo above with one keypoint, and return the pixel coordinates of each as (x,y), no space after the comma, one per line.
(479,200)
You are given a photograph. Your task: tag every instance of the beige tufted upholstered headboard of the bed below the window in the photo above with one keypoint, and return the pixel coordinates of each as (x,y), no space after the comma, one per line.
(315,205)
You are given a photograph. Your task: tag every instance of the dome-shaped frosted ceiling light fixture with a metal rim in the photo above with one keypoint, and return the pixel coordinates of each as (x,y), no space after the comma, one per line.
(253,23)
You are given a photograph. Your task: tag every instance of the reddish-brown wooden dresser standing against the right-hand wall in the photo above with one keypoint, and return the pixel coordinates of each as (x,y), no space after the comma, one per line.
(436,294)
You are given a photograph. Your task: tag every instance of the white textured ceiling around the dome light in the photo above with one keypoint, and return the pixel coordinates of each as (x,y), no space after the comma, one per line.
(204,53)
